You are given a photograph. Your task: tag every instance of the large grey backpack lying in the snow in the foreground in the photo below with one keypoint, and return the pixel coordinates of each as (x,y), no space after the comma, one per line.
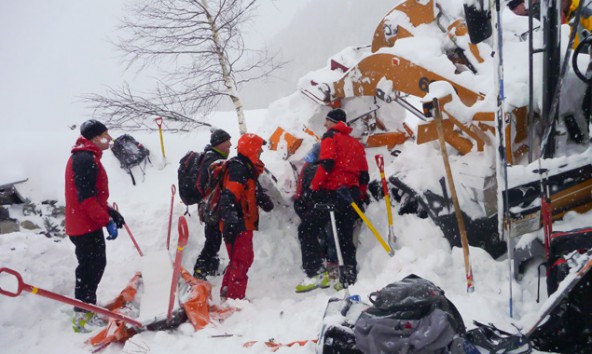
(408,316)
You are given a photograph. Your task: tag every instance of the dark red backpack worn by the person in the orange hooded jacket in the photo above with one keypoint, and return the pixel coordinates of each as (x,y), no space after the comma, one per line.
(209,207)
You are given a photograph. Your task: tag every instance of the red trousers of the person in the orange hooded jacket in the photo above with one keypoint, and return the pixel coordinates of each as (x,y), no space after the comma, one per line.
(234,283)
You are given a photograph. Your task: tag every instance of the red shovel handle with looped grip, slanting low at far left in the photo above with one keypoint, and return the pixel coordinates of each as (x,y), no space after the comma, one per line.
(21,285)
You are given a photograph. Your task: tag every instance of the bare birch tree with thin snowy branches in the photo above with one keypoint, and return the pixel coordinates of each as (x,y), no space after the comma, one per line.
(198,52)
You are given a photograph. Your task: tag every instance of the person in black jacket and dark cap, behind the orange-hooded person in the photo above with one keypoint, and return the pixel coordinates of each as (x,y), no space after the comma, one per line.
(207,262)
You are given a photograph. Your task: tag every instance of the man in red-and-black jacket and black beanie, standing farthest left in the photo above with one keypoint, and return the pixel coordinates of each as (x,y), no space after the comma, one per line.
(87,212)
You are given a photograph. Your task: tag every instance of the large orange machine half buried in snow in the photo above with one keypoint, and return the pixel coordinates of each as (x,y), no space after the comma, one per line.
(519,142)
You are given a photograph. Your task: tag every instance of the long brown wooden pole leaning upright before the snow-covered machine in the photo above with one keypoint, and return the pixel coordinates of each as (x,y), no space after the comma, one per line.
(457,211)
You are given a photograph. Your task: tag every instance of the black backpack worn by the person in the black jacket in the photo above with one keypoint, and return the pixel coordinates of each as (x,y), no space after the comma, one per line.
(188,174)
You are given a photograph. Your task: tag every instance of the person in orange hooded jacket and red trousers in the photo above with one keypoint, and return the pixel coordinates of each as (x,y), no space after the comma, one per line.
(239,213)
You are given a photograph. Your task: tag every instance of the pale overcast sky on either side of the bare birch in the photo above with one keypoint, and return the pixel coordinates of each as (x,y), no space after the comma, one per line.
(53,52)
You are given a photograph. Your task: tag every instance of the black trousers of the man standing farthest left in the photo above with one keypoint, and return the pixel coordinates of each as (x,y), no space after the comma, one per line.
(92,260)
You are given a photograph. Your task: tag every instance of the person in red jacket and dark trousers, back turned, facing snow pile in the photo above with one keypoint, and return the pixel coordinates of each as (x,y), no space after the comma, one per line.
(343,169)
